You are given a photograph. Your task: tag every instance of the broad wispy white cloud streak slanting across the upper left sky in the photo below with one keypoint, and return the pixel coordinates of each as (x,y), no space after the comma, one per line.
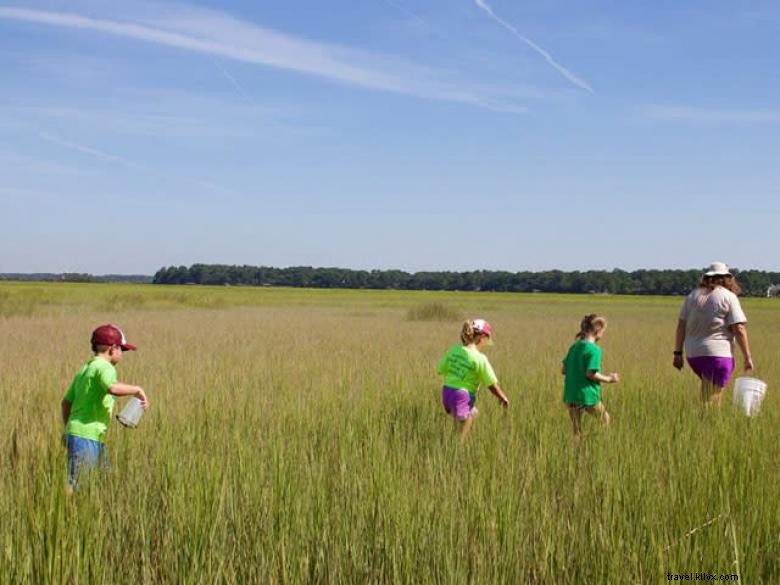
(220,35)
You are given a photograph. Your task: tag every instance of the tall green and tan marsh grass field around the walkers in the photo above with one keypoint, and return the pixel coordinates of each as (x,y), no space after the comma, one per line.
(297,436)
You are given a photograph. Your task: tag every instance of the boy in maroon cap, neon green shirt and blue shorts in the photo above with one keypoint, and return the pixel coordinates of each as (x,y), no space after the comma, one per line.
(87,406)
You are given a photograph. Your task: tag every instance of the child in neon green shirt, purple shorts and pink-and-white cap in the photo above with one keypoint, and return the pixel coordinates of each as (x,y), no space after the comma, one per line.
(465,368)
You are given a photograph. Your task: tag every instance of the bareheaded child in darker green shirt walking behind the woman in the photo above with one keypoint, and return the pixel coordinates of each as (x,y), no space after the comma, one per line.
(582,368)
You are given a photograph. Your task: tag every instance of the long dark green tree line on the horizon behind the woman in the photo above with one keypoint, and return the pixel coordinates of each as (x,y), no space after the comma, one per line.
(640,282)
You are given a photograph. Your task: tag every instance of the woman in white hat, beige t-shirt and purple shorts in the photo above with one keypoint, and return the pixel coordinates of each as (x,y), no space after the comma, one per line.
(711,319)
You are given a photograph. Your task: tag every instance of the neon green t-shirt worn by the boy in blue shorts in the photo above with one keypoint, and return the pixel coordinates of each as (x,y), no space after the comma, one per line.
(91,404)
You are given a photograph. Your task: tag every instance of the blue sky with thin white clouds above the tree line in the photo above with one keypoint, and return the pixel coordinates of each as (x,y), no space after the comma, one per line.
(409,134)
